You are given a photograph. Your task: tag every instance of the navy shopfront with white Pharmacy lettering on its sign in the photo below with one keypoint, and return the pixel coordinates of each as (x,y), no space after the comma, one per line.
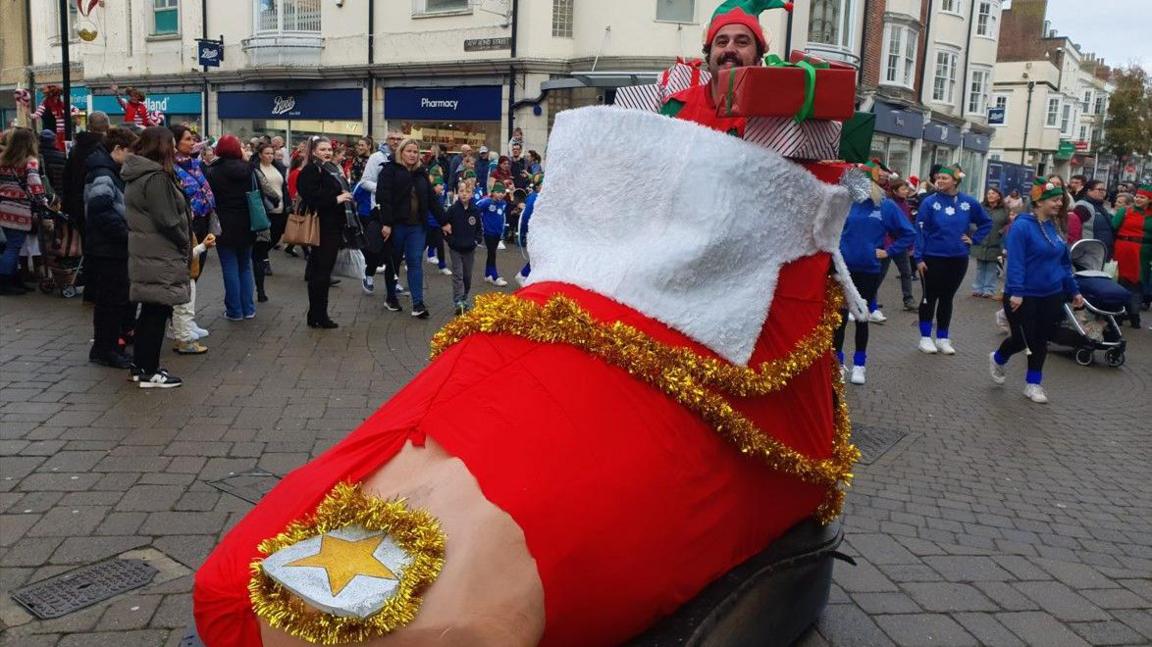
(451,117)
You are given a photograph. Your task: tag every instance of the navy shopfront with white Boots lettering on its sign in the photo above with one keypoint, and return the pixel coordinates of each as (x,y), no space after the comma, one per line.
(293,115)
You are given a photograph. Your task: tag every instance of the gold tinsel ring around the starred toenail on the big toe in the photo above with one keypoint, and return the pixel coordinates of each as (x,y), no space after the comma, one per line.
(416,532)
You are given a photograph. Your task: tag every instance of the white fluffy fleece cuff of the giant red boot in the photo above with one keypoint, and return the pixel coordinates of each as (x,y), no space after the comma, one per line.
(684,224)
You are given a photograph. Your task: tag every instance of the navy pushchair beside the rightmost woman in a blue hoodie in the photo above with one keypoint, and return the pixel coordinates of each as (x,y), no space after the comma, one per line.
(1095,328)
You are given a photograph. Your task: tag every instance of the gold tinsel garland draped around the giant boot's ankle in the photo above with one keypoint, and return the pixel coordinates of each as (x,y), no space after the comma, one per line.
(700,384)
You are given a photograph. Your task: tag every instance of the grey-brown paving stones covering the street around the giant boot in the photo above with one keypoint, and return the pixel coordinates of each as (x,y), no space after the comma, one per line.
(991,522)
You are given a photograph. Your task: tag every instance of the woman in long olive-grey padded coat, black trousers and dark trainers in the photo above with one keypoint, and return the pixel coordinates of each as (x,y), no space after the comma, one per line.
(160,248)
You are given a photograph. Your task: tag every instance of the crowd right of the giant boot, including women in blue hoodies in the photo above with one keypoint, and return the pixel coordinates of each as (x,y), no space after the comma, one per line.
(1022,252)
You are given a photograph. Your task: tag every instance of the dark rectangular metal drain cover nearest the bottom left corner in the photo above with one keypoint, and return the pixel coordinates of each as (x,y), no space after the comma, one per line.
(84,588)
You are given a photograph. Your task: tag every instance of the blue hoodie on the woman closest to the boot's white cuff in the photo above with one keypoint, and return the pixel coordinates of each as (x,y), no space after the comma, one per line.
(865,234)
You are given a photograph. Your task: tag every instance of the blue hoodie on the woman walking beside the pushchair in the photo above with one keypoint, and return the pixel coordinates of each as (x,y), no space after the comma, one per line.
(1039,262)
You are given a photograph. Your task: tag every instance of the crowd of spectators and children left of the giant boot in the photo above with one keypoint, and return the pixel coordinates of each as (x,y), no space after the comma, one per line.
(149,203)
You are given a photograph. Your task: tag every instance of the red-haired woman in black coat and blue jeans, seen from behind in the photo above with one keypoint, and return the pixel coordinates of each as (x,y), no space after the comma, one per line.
(231,179)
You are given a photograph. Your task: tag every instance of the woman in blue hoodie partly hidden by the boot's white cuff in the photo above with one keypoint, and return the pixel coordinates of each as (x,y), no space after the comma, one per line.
(862,246)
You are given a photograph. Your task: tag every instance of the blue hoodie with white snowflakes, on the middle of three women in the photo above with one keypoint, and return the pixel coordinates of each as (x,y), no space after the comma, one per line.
(942,220)
